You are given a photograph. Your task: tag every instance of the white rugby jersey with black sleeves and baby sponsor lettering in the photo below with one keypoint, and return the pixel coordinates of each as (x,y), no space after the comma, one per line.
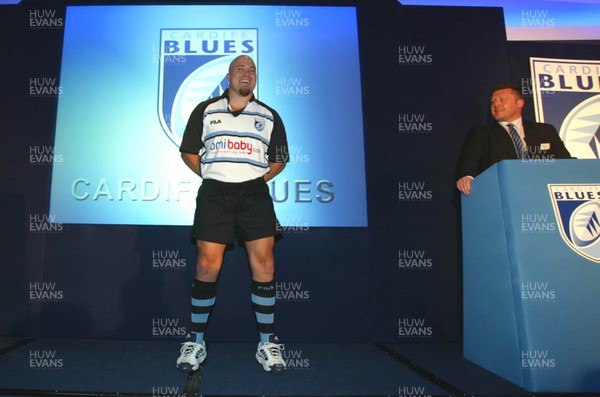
(235,146)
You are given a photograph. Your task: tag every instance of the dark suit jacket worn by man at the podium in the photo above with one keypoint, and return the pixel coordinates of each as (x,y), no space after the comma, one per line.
(488,144)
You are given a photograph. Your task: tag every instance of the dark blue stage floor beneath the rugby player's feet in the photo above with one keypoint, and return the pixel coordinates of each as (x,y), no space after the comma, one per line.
(60,367)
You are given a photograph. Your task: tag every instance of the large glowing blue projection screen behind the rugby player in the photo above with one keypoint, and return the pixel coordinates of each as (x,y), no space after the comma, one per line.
(130,75)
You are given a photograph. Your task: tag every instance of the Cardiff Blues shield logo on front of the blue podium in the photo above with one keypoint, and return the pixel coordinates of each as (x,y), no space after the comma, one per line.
(577,210)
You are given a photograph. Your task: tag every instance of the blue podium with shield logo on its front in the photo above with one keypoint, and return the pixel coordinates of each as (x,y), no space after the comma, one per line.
(531,274)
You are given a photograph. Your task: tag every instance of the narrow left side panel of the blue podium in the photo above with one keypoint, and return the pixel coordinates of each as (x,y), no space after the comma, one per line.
(487,293)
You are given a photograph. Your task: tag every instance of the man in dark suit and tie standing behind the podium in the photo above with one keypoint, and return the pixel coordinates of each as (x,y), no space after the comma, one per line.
(510,137)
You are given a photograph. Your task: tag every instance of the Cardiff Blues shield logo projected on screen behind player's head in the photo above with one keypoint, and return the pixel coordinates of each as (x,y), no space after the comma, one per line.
(193,68)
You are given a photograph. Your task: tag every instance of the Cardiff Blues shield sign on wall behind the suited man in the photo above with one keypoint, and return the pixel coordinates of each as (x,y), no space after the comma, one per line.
(567,95)
